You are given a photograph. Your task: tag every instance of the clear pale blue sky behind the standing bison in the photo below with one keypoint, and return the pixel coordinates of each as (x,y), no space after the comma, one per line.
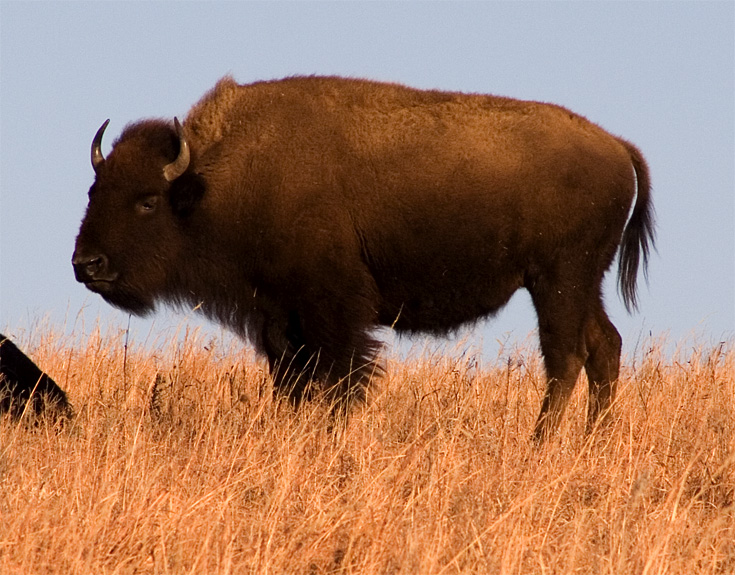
(660,74)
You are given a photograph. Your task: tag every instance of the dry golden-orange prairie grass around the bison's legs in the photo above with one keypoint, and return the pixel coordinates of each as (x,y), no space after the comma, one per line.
(181,462)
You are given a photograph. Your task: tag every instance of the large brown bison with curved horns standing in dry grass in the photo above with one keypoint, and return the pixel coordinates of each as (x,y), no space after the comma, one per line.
(303,213)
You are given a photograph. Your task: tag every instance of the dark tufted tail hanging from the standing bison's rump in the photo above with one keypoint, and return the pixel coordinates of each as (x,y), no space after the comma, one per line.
(639,235)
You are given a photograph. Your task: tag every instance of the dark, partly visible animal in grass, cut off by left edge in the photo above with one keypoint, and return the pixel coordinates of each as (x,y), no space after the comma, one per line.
(25,388)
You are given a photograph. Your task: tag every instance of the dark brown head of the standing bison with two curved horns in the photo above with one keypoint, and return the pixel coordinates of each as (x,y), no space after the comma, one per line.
(142,198)
